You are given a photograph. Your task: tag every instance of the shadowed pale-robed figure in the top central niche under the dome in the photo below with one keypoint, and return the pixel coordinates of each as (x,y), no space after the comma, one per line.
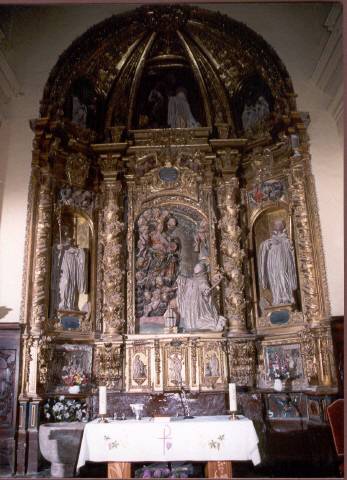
(179,114)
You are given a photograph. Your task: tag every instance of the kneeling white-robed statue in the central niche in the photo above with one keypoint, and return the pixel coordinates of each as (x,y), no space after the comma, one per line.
(195,303)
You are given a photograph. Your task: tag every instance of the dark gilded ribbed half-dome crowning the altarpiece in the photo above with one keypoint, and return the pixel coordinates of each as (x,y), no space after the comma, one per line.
(218,54)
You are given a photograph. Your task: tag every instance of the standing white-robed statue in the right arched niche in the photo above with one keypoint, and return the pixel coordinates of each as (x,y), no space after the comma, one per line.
(276,265)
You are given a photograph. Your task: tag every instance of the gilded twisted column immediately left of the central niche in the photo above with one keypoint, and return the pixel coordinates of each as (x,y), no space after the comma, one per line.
(113,264)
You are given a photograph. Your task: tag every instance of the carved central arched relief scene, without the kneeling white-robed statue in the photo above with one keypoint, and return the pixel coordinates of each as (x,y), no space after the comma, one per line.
(170,239)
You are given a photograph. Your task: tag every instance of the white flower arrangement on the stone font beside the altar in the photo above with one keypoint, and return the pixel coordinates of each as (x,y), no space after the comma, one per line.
(65,410)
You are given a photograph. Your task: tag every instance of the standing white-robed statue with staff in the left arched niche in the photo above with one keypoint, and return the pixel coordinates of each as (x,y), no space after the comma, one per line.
(69,273)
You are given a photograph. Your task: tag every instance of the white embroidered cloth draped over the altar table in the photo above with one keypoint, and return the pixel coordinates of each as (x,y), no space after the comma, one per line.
(198,439)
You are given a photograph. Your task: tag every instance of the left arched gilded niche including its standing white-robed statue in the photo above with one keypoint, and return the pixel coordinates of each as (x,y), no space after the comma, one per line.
(72,282)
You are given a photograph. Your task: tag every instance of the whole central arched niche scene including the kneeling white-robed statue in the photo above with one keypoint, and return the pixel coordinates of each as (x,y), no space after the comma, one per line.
(173,293)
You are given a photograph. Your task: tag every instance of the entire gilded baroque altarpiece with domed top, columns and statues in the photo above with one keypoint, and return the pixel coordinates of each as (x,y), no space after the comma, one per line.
(173,237)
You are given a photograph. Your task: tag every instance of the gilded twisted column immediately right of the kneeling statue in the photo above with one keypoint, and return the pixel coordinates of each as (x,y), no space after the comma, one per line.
(231,252)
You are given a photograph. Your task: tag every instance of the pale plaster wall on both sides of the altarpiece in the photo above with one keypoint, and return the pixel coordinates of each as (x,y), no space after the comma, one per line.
(38,35)
